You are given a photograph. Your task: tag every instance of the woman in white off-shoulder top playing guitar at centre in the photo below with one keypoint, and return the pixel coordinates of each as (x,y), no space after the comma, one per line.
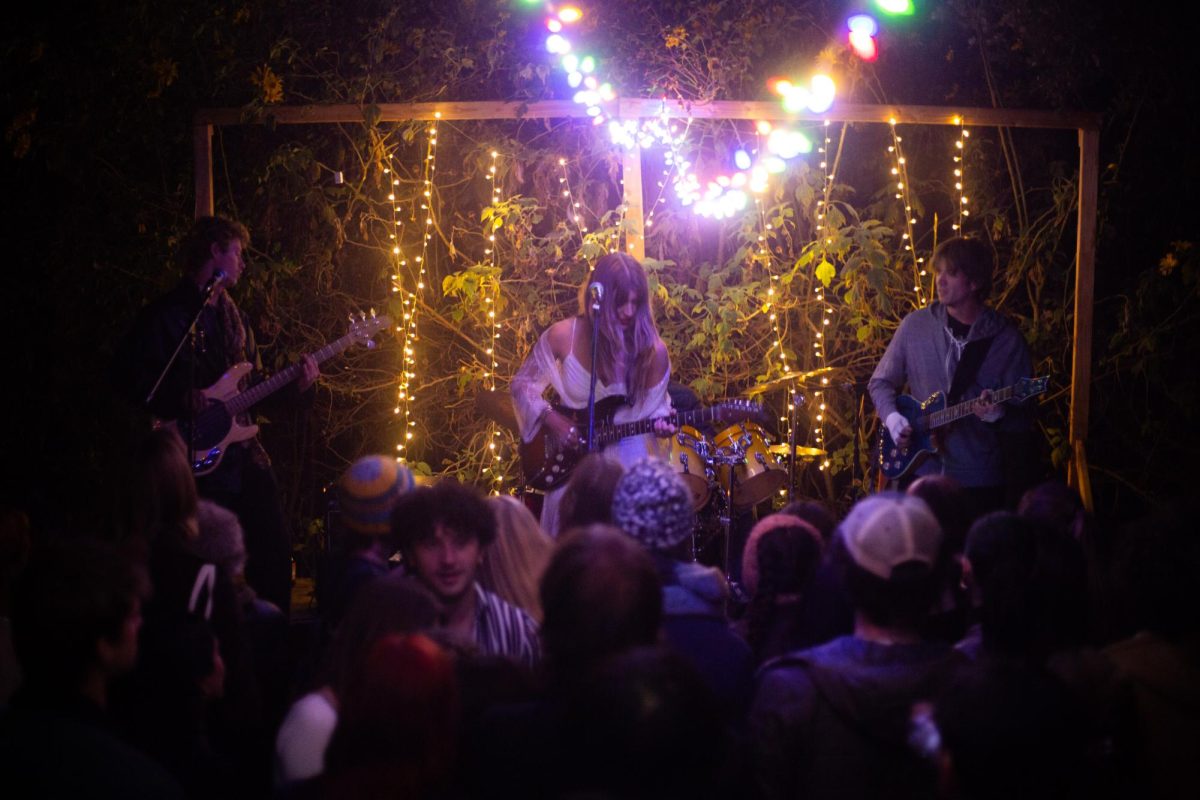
(632,362)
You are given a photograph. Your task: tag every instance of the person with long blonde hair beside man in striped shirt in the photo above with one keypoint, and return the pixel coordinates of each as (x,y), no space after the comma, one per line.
(514,564)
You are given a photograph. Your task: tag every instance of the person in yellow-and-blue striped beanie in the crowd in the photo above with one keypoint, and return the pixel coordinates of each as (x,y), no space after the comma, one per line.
(368,494)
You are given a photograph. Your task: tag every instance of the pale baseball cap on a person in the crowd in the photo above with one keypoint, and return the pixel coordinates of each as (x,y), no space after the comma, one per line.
(889,530)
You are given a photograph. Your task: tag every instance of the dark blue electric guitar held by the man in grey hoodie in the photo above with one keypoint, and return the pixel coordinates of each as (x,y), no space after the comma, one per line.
(926,418)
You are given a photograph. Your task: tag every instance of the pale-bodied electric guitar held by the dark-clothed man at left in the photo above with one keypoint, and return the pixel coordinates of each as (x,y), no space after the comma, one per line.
(224,422)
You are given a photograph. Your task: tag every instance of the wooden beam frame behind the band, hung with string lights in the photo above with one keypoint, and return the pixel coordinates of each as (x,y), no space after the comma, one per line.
(1087,125)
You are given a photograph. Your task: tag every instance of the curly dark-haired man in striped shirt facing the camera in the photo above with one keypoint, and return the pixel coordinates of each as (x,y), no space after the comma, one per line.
(443,533)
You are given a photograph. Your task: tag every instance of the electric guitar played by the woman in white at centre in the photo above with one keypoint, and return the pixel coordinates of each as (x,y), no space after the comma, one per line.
(547,466)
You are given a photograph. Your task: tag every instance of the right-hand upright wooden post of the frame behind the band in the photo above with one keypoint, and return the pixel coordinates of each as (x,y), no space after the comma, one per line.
(1085,286)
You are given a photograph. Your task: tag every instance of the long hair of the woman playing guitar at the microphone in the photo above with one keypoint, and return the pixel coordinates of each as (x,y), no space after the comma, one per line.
(622,276)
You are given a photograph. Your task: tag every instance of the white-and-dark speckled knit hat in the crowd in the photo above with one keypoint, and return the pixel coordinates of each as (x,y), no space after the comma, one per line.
(653,506)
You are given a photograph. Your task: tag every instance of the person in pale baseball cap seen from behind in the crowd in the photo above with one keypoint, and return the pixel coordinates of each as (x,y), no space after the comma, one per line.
(833,721)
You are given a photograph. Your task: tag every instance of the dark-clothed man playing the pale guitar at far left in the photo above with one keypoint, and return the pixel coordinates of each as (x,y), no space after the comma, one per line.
(244,482)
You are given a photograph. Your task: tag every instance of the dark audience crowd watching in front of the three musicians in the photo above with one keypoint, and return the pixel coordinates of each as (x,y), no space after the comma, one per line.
(904,649)
